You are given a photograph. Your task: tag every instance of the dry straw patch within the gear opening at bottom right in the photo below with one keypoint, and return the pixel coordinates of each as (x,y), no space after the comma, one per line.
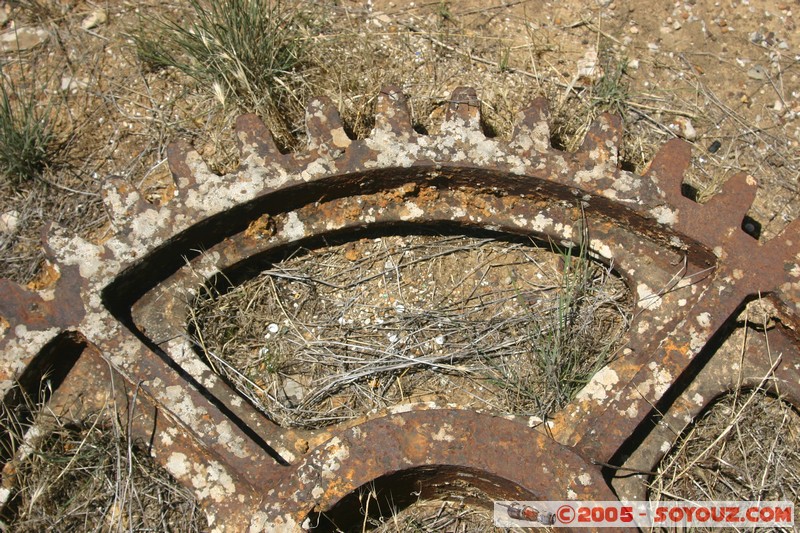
(745,447)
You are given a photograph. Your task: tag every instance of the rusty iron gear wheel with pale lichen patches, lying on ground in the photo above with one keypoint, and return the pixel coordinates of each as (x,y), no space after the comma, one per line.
(117,311)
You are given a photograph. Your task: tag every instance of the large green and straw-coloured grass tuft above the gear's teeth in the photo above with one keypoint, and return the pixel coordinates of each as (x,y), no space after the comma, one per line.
(246,49)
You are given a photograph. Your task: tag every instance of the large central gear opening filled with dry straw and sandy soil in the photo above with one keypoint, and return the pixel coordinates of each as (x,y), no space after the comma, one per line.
(483,322)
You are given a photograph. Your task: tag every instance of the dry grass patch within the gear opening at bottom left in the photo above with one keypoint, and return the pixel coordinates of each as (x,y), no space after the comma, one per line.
(87,475)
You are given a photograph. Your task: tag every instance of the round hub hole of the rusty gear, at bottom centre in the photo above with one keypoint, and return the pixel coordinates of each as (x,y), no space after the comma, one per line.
(435,498)
